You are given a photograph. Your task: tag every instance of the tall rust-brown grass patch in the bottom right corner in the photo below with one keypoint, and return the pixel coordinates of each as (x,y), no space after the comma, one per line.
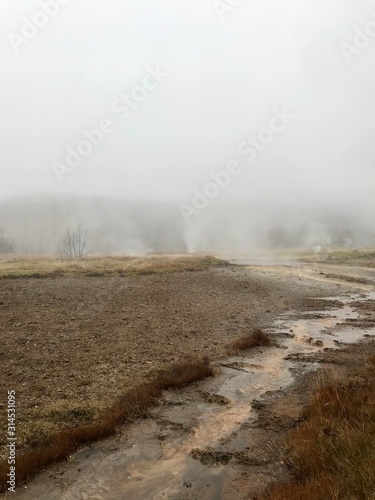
(333,451)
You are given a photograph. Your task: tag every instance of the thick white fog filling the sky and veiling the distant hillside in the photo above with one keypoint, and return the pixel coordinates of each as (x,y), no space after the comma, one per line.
(187,125)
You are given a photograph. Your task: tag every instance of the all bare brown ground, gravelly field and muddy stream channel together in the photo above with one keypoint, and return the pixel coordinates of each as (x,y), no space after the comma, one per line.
(83,341)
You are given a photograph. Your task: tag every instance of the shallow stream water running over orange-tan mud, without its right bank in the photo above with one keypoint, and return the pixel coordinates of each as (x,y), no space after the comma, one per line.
(175,453)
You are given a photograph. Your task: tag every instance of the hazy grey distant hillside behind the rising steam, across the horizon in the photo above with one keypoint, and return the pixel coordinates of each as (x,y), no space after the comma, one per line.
(35,224)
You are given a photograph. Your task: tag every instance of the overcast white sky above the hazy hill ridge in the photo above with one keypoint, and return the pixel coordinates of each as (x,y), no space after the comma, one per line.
(225,77)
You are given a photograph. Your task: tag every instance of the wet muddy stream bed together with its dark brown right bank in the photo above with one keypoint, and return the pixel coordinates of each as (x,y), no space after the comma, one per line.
(222,438)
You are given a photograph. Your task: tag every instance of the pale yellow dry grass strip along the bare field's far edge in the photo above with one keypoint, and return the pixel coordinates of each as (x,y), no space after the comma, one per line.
(27,267)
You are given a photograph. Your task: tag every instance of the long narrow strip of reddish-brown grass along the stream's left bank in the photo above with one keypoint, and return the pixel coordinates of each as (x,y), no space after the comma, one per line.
(132,405)
